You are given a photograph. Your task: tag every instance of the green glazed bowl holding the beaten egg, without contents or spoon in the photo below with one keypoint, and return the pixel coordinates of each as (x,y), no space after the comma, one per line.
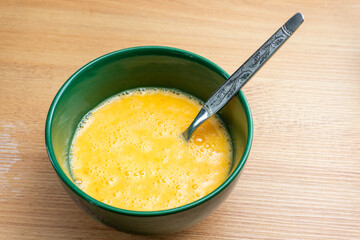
(133,68)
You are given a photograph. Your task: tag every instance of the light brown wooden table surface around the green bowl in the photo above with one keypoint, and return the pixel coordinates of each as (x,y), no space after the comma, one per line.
(302,179)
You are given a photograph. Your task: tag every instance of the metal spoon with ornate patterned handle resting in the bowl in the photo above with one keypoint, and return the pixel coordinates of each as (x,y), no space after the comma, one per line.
(241,76)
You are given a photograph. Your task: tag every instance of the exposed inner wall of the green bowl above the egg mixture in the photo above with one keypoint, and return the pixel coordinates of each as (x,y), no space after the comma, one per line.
(115,73)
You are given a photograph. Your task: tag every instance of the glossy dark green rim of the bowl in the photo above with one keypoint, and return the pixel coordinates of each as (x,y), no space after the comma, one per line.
(146,50)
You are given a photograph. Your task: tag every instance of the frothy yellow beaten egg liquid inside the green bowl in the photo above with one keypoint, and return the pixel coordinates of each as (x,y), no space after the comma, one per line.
(129,153)
